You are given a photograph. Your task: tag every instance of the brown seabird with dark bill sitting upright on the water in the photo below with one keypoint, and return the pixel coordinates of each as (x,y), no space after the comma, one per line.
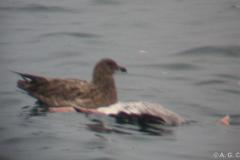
(54,92)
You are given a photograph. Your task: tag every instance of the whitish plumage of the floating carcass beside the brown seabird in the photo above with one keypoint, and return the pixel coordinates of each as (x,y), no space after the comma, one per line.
(139,109)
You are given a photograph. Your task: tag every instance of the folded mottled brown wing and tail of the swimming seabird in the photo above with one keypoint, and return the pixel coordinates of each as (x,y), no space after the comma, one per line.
(57,92)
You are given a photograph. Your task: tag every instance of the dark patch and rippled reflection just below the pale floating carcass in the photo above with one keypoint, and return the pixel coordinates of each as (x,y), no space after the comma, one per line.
(132,124)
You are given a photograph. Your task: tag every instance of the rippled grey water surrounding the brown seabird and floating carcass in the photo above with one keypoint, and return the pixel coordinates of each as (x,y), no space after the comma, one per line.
(184,54)
